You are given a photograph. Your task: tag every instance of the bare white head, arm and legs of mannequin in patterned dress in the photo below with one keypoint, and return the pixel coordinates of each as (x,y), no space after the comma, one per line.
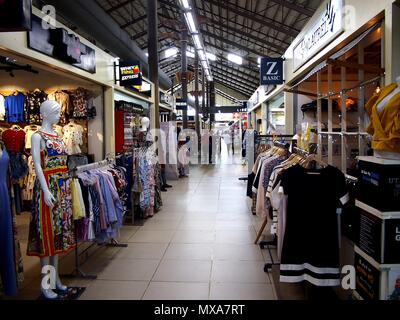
(51,112)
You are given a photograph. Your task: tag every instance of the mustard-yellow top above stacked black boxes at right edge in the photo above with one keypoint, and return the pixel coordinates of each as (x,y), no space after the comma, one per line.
(385,126)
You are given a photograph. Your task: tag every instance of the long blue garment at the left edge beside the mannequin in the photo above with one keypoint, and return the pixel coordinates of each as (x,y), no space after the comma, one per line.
(7,257)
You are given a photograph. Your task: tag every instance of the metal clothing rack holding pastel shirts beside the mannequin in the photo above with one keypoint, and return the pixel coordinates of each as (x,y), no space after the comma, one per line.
(77,272)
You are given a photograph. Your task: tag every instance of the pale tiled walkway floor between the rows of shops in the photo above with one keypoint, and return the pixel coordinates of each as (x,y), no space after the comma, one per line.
(200,246)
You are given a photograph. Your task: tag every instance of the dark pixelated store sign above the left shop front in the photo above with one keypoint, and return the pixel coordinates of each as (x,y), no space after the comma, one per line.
(61,45)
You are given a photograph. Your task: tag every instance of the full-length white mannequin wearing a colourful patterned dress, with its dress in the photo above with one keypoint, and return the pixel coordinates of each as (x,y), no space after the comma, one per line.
(50,204)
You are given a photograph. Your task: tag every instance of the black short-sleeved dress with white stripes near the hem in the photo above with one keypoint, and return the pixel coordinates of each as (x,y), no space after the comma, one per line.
(310,249)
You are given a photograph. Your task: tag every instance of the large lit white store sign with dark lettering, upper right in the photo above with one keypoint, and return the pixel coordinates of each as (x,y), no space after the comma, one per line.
(326,28)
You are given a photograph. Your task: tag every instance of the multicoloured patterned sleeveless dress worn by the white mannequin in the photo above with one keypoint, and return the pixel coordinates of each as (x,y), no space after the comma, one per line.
(51,230)
